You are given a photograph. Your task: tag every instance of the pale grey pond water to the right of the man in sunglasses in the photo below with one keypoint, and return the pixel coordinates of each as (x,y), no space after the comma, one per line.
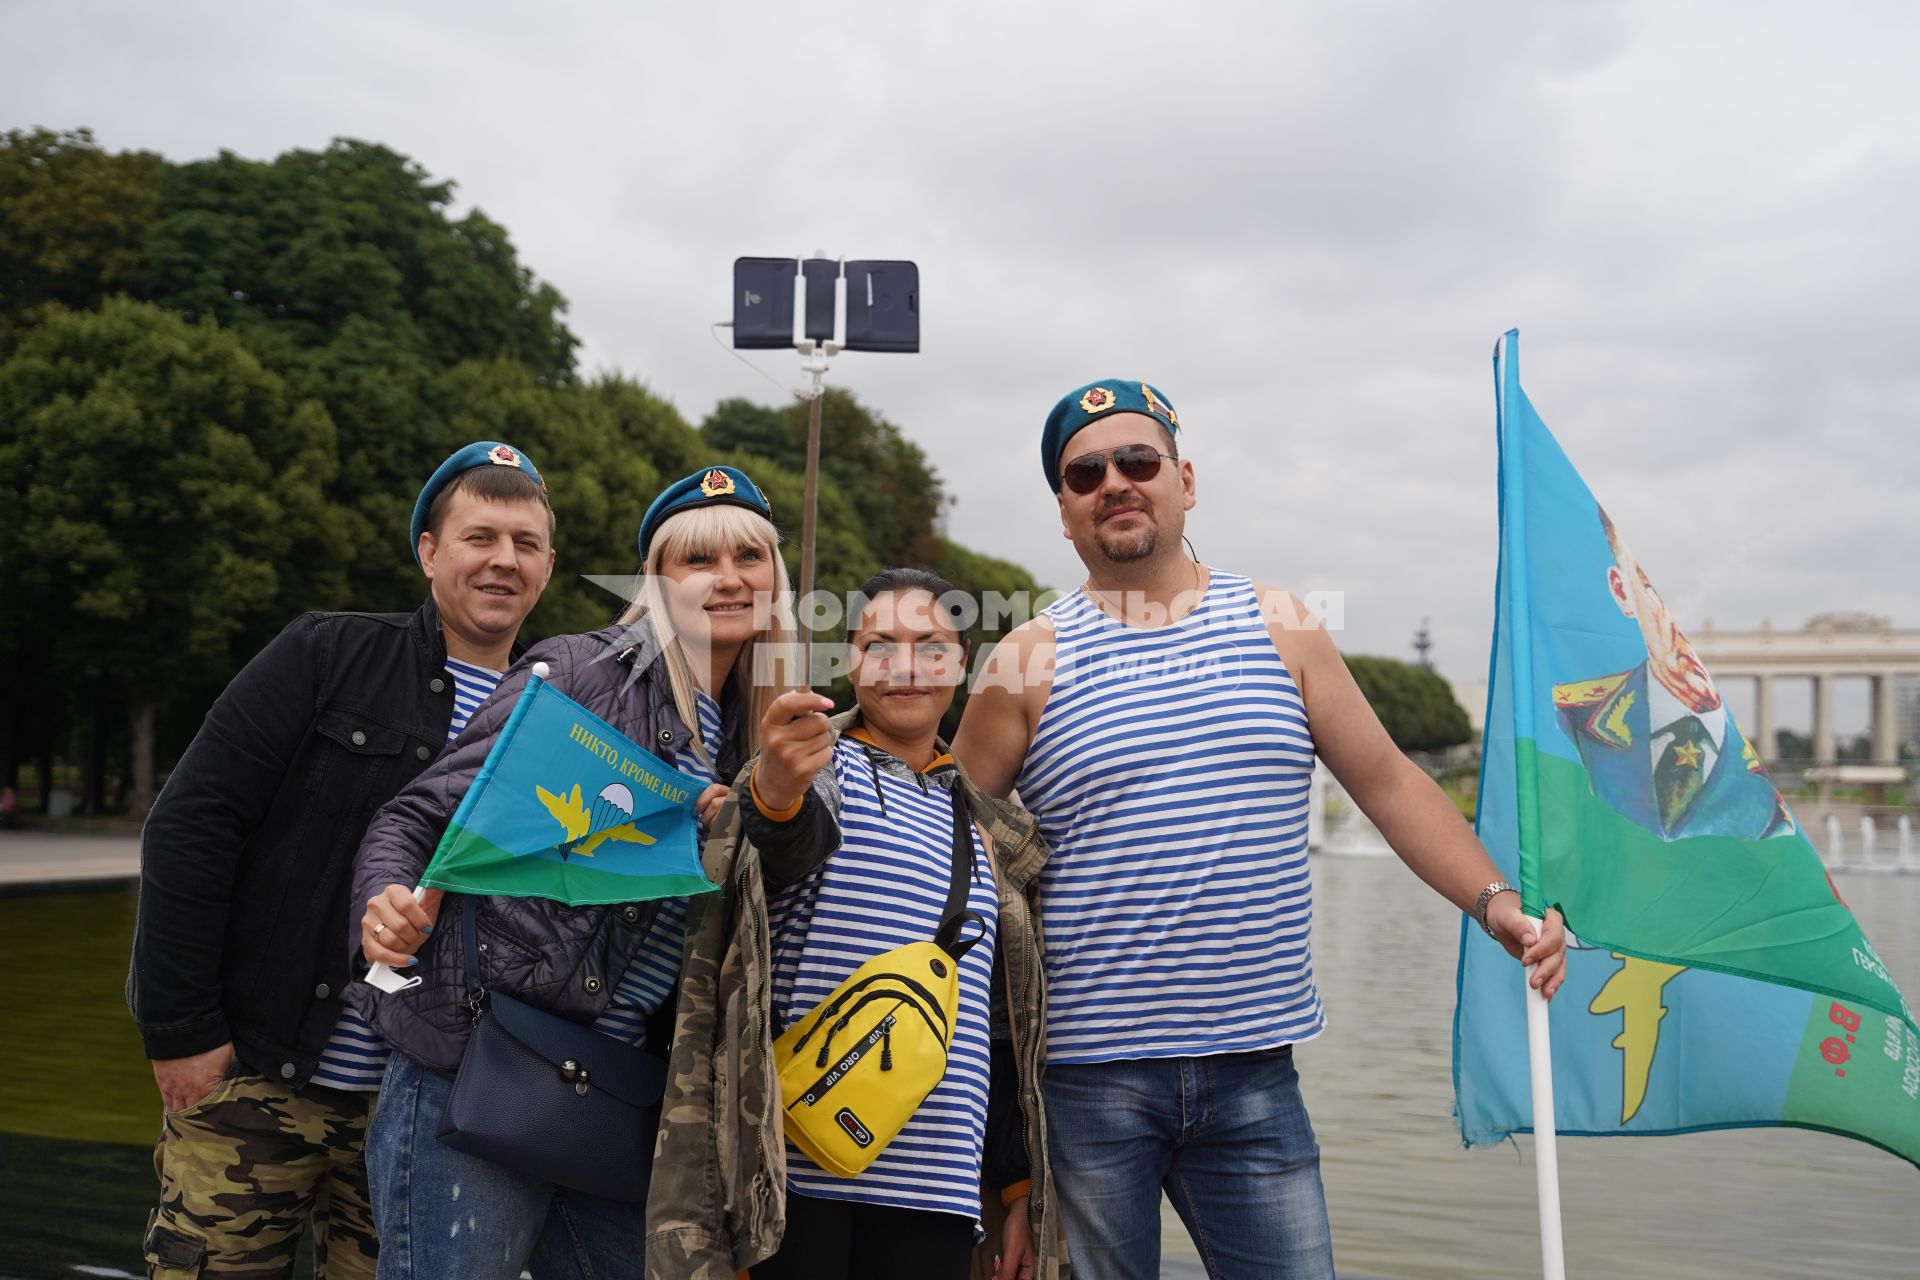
(1408,1200)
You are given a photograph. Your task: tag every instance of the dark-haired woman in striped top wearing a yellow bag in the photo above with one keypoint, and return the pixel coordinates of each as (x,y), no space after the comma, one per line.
(892,886)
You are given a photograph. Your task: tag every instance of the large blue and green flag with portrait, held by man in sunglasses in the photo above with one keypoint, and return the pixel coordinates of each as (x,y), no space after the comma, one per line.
(1716,978)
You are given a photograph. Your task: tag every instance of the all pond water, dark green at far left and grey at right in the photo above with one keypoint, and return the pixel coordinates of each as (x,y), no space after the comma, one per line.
(78,1112)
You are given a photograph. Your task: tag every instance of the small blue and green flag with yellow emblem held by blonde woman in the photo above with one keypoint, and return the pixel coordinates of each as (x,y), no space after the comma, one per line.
(567,807)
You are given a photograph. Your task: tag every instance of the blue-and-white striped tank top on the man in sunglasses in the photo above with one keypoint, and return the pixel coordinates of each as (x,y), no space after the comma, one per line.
(1170,776)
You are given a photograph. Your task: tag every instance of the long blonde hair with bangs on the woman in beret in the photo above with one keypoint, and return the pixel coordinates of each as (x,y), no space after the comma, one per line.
(769,663)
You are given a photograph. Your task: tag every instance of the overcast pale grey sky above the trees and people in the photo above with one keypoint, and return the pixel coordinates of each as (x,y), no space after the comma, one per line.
(1305,224)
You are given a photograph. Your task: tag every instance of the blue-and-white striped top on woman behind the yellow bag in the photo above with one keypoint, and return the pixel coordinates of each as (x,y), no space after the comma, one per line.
(884,888)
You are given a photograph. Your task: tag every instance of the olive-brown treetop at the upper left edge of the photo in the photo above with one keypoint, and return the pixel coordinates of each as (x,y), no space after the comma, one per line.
(72,224)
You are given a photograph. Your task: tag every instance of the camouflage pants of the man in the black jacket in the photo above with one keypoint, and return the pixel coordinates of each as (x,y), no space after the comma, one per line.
(245,1170)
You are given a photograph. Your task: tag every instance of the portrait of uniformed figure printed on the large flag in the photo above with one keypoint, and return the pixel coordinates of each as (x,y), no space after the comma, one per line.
(1656,740)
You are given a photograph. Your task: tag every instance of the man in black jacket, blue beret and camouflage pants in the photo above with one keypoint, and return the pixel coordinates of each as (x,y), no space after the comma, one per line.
(245,863)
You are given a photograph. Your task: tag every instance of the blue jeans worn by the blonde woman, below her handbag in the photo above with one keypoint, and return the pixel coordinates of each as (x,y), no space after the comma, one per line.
(448,1216)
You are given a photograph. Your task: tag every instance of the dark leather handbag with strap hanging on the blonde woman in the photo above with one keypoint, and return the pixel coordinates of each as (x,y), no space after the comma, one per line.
(552,1099)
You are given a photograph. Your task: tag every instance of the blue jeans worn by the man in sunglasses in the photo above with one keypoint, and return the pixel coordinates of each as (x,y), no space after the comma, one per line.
(1226,1137)
